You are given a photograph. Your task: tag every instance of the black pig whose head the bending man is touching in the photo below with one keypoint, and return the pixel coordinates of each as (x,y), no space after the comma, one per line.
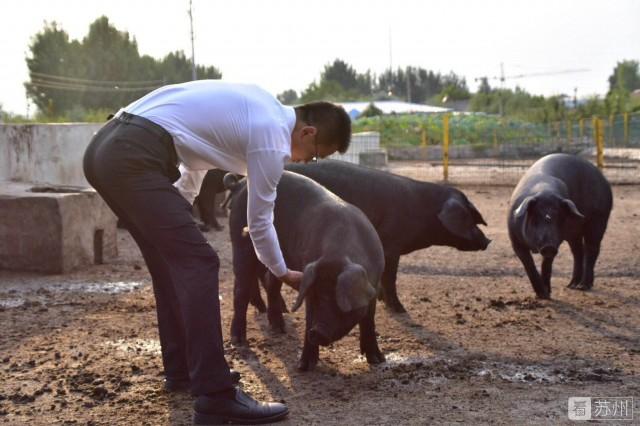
(337,249)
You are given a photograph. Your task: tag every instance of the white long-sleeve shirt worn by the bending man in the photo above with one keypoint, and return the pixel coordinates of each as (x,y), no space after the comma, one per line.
(236,127)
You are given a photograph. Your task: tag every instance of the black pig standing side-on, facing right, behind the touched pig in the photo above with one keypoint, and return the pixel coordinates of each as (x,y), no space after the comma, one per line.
(407,214)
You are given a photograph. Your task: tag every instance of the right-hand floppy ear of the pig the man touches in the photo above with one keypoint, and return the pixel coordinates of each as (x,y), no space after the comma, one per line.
(353,290)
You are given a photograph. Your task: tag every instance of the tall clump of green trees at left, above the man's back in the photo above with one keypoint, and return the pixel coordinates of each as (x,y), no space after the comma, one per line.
(104,72)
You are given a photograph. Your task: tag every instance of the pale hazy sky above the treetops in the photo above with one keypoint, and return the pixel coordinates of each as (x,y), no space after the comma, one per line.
(285,44)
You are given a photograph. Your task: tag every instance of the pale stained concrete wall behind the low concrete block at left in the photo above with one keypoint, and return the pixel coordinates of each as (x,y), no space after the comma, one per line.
(44,153)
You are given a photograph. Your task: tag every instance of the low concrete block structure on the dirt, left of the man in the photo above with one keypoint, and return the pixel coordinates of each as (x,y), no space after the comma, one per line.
(54,229)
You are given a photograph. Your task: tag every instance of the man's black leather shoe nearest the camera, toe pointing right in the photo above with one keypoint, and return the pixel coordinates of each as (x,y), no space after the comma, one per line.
(240,410)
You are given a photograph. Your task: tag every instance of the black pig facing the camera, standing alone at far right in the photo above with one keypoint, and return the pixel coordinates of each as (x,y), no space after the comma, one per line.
(560,198)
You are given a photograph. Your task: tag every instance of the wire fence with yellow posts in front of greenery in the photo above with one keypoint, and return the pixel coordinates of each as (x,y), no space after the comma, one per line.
(462,150)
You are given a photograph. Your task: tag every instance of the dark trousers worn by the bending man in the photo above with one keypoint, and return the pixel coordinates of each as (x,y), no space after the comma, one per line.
(131,163)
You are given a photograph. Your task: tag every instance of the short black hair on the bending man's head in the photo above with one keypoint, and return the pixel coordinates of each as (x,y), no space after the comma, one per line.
(331,120)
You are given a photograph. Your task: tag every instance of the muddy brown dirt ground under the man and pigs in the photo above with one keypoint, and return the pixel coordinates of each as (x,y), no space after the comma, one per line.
(475,347)
